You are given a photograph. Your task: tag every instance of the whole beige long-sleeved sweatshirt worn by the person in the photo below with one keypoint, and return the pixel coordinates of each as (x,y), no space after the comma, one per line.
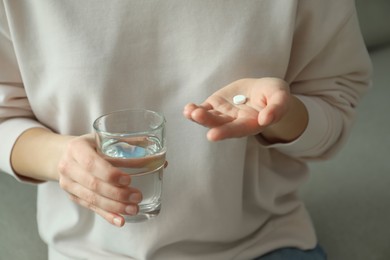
(63,63)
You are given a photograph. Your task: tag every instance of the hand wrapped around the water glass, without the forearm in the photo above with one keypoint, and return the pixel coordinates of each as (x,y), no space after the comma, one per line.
(94,183)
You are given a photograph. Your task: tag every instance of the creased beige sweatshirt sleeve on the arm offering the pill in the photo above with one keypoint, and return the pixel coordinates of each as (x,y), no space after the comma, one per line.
(329,72)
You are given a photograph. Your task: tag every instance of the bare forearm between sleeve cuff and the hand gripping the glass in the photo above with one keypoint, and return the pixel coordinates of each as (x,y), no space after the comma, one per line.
(37,152)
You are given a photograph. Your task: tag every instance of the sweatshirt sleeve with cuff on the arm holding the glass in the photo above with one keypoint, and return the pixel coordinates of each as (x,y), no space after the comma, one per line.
(16,115)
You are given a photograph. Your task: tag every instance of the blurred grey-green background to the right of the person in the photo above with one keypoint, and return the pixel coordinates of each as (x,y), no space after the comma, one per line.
(349,196)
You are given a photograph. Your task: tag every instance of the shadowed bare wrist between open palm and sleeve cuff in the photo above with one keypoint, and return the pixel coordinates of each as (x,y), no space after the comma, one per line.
(291,126)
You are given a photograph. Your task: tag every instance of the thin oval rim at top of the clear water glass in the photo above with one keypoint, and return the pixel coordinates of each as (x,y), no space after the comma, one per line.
(159,126)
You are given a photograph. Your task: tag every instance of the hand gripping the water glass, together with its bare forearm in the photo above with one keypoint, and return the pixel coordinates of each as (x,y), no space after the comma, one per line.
(73,161)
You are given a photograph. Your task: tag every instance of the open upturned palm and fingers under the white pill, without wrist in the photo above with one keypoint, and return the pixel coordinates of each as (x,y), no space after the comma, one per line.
(267,102)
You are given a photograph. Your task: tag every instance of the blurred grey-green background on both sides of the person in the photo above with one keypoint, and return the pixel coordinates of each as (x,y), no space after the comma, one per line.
(348,196)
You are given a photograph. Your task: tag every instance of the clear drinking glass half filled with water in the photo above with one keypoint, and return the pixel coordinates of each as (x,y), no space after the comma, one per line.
(134,140)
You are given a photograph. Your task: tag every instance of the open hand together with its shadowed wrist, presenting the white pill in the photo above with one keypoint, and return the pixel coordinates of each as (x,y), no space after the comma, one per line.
(270,109)
